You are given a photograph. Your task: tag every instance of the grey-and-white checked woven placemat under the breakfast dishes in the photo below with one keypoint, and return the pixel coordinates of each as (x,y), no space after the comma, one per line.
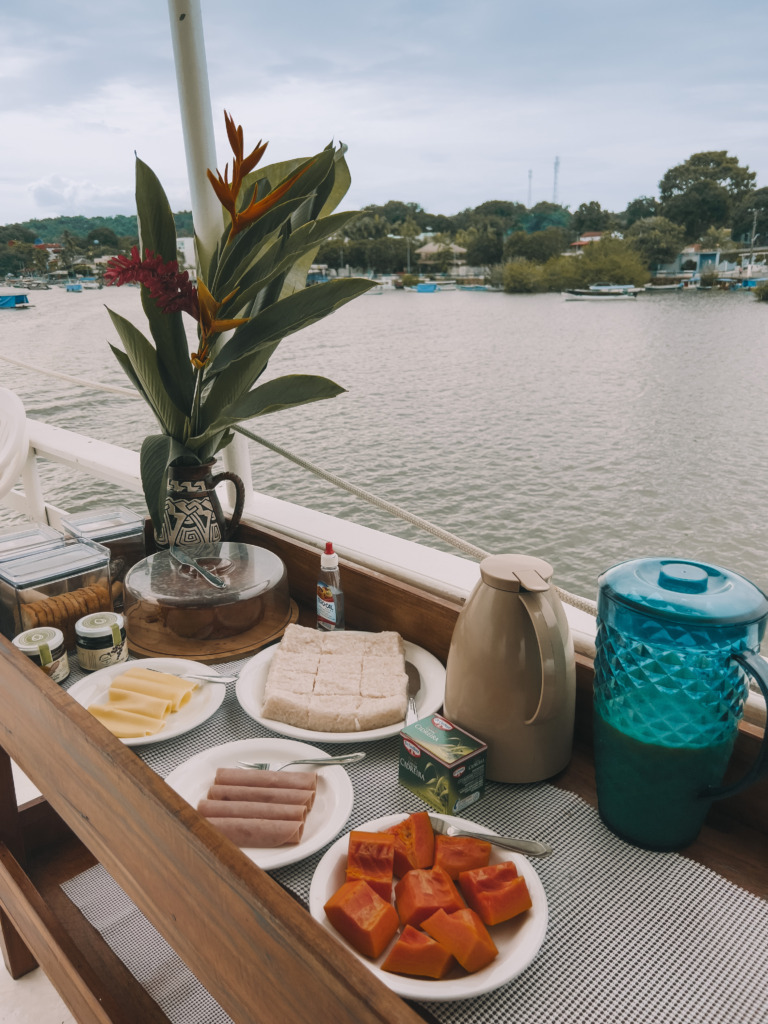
(633,937)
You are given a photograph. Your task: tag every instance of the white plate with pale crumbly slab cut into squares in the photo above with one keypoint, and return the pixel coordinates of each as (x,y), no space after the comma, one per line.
(339,688)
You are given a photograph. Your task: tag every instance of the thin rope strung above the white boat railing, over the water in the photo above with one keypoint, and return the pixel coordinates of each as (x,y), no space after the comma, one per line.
(583,604)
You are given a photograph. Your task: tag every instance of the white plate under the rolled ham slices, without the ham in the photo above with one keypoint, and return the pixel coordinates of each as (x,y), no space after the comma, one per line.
(332,807)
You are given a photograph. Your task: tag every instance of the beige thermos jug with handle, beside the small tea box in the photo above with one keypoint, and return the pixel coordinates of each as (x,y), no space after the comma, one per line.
(511,674)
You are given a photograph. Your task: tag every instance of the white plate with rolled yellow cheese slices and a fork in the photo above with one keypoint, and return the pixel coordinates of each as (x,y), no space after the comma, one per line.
(149,702)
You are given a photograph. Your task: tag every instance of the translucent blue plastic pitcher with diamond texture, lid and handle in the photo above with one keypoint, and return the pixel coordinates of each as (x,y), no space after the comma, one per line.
(675,639)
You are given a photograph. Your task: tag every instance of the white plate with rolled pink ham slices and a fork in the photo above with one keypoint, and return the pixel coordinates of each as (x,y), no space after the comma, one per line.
(277,819)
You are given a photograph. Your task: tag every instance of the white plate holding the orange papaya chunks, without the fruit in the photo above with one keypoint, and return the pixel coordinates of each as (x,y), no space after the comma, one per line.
(519,941)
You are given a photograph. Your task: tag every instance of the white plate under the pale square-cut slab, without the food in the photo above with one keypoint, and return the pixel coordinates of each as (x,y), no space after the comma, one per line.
(253,680)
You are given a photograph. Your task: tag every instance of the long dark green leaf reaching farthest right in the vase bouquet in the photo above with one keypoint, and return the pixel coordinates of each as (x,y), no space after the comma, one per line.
(289,316)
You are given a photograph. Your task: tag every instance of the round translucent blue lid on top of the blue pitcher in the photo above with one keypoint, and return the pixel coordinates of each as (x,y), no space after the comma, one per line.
(686,591)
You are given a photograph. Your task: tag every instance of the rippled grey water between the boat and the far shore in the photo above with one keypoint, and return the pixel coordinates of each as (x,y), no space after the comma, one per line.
(582,433)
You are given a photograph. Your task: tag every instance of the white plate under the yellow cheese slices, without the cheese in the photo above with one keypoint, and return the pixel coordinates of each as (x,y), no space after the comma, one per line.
(204,702)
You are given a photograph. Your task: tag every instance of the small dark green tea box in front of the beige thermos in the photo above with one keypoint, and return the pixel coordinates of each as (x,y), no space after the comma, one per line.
(442,764)
